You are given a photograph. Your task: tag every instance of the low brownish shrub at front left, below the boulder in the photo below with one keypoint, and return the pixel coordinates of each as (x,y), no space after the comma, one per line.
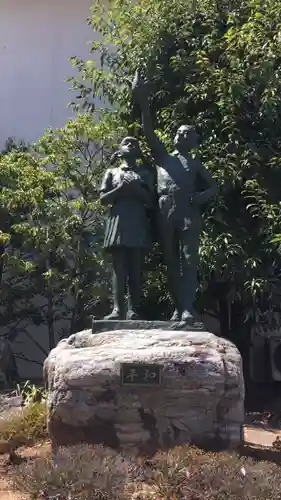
(80,472)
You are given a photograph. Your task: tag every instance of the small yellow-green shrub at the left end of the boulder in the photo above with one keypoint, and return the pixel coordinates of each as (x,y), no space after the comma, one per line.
(27,426)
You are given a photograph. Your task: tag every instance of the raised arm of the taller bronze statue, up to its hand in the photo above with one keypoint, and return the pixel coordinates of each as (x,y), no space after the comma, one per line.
(140,93)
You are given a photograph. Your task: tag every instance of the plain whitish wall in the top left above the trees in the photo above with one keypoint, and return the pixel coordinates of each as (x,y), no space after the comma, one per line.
(37,38)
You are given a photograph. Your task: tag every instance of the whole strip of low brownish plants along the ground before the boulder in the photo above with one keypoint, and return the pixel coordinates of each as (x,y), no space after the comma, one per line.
(186,473)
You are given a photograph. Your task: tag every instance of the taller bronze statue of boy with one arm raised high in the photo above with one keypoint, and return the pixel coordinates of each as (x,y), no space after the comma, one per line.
(179,221)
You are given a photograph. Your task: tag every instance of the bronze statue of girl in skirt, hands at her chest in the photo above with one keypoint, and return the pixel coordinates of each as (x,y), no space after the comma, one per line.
(128,190)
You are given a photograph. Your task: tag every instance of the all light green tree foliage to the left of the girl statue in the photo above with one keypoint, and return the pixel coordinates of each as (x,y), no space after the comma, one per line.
(54,272)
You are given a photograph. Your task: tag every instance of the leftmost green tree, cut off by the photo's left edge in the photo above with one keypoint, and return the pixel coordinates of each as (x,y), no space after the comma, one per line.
(24,185)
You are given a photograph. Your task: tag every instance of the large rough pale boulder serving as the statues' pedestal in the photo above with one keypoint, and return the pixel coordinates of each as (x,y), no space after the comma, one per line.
(198,398)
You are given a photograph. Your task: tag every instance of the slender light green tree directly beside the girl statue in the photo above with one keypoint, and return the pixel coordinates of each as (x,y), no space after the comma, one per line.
(62,234)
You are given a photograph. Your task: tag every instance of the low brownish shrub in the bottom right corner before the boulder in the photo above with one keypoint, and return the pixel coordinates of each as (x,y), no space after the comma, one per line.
(193,474)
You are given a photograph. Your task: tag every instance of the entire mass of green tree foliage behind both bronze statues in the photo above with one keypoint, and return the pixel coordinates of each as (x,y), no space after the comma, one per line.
(213,65)
